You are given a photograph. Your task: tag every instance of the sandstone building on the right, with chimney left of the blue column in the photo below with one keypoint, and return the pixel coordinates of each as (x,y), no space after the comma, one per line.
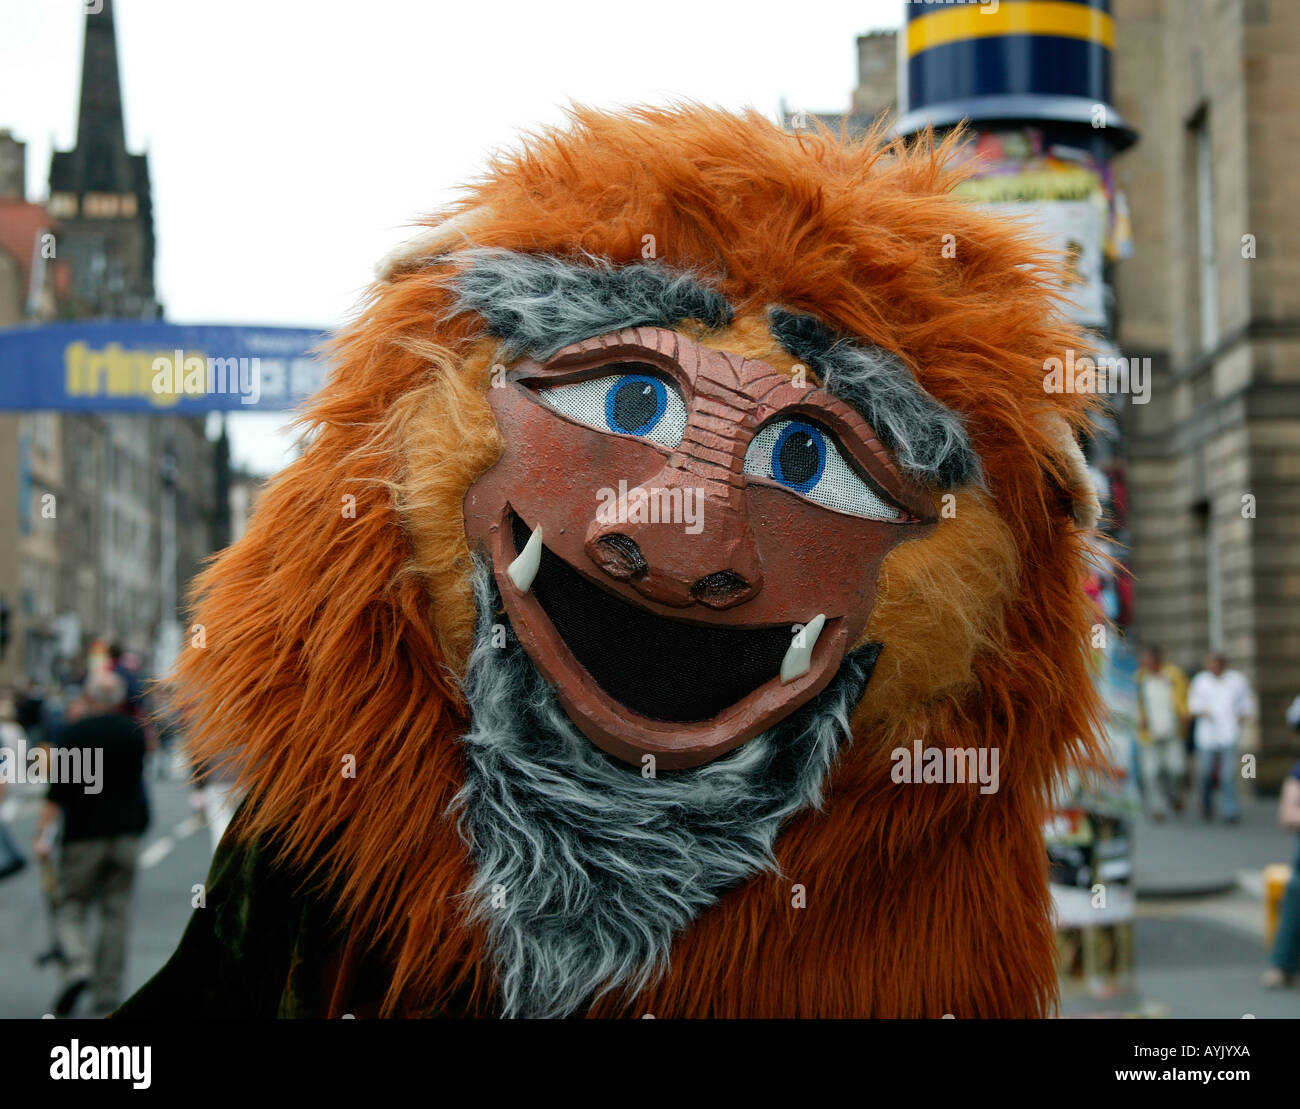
(1211,293)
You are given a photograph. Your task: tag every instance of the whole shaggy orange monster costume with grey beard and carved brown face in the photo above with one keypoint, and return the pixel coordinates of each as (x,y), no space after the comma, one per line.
(674,491)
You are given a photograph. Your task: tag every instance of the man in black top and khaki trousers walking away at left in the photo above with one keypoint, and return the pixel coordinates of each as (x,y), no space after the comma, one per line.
(102,826)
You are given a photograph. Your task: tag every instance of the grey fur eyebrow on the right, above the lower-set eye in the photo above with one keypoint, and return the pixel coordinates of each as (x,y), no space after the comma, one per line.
(929,441)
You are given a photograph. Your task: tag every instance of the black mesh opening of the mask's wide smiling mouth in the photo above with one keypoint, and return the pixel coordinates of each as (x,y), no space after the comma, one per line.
(661,669)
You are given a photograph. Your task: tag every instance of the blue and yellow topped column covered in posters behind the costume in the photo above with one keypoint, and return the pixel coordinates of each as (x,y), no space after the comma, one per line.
(1033,79)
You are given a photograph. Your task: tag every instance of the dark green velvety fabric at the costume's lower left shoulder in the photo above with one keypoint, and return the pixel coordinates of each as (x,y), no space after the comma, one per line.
(261,947)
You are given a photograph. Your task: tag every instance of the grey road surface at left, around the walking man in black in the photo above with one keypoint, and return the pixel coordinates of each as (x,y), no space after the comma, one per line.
(175,856)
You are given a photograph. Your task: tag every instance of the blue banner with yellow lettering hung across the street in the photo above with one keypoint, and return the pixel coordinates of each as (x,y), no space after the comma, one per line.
(154,367)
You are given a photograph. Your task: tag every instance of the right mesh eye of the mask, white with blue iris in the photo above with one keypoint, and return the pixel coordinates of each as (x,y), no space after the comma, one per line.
(805,460)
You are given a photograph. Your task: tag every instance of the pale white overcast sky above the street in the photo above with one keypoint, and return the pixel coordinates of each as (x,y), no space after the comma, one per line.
(293,145)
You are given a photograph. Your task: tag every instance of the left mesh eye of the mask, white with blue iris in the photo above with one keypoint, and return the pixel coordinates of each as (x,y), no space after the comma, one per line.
(626,404)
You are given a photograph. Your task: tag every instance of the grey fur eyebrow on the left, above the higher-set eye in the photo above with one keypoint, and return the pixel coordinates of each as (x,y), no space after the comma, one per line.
(540,304)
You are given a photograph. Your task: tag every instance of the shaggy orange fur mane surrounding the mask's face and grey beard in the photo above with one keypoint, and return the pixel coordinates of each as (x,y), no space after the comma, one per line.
(339,627)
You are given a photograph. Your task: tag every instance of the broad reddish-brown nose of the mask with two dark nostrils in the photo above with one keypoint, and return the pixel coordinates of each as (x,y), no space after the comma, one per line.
(682,539)
